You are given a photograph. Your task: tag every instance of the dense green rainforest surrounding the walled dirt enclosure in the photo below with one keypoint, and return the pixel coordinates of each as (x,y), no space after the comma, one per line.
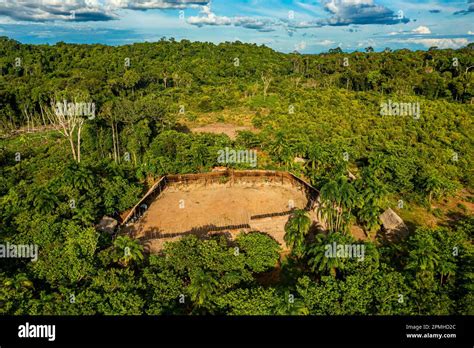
(60,176)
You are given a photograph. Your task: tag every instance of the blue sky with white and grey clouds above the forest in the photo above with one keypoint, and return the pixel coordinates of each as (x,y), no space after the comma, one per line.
(308,26)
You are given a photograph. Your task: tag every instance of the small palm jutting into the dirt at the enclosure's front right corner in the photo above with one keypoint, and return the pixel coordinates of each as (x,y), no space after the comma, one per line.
(296,230)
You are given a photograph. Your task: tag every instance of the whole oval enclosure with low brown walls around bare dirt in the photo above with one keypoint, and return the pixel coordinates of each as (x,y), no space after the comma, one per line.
(226,201)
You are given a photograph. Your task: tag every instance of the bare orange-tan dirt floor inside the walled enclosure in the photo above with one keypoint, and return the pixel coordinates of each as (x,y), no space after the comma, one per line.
(199,209)
